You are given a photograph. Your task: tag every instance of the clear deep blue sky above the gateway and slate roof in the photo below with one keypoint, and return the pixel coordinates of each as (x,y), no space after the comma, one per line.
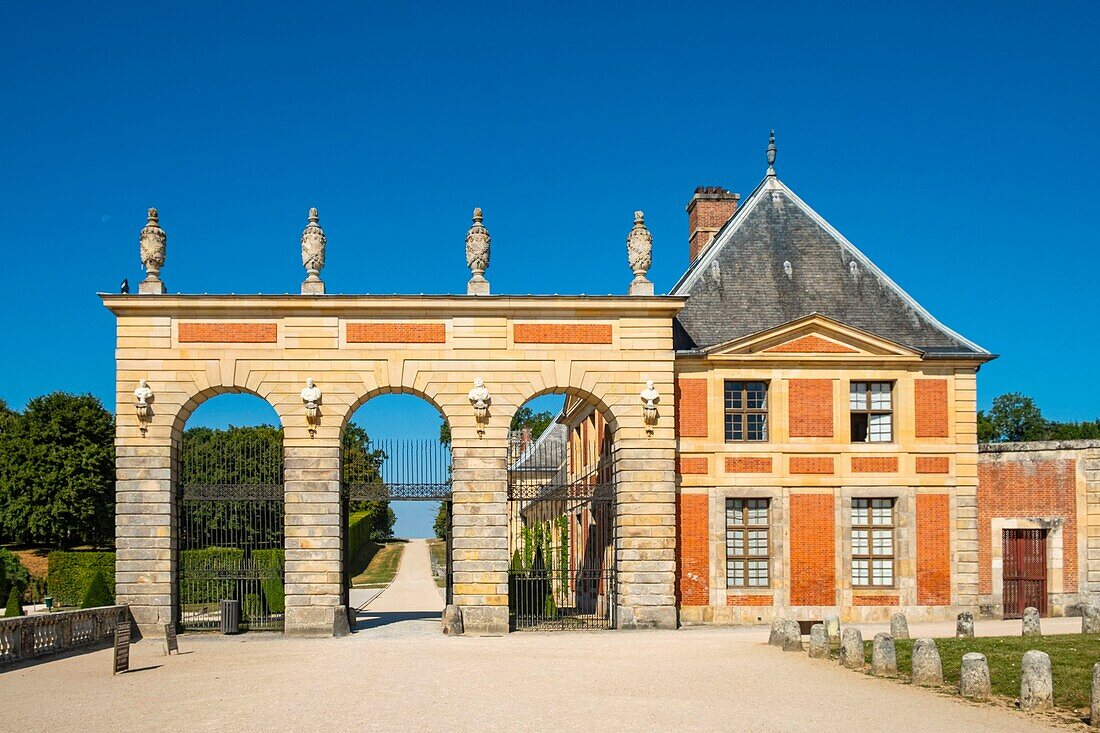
(955,144)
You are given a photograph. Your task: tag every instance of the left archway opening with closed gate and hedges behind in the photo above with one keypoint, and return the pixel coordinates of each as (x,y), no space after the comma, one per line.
(230,517)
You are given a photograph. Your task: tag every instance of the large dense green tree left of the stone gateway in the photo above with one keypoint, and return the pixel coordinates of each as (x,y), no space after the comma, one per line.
(58,473)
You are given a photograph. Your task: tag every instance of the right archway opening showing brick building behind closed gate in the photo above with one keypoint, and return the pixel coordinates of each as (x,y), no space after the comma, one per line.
(562,515)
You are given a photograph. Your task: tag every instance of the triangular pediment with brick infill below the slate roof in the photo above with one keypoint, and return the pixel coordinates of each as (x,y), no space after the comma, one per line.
(816,337)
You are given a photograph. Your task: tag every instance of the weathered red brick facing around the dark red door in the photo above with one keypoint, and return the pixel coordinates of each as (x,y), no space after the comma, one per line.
(1027,489)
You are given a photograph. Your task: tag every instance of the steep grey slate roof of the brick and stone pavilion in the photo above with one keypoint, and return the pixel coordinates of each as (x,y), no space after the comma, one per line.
(739,286)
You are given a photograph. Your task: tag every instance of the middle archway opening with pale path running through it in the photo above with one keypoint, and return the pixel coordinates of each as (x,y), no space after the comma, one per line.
(397,483)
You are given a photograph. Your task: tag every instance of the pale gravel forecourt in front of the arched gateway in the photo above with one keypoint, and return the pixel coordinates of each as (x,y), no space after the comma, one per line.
(702,680)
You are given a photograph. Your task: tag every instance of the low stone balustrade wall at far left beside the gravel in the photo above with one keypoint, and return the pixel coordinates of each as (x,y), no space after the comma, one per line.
(48,634)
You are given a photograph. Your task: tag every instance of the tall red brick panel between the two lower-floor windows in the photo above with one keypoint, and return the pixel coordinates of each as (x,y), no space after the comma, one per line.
(813,552)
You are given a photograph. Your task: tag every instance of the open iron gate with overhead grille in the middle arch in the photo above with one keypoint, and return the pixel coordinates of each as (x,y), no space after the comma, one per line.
(395,471)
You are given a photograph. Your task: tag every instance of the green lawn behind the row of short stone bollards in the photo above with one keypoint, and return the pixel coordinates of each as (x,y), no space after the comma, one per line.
(1072,660)
